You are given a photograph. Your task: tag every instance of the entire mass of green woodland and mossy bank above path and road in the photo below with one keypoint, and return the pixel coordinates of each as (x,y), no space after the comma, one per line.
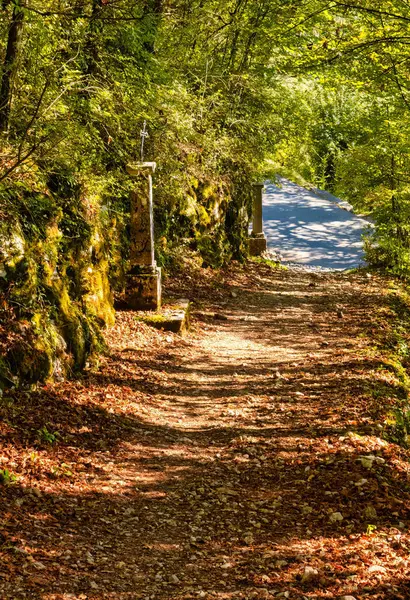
(231,91)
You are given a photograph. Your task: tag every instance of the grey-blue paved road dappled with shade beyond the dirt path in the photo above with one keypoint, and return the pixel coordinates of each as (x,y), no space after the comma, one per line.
(311,229)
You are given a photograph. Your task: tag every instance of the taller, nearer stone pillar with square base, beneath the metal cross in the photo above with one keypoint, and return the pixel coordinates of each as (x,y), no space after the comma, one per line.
(144,278)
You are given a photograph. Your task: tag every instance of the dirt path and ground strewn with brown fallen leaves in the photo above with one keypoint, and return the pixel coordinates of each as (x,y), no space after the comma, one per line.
(247,460)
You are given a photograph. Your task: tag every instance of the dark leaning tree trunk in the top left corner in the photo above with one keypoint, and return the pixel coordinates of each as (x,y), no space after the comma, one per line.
(11,62)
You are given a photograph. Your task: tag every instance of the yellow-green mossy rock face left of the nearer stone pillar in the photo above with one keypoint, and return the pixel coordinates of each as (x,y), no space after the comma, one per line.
(55,273)
